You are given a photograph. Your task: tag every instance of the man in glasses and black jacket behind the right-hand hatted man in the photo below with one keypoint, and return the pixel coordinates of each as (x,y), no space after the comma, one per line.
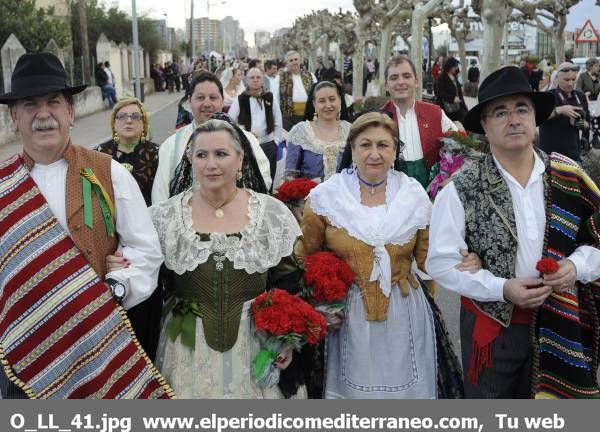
(562,132)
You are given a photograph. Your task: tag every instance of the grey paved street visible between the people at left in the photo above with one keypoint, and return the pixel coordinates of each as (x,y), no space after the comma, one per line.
(95,128)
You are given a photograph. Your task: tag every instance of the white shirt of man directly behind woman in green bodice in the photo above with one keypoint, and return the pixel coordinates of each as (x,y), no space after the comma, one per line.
(171,151)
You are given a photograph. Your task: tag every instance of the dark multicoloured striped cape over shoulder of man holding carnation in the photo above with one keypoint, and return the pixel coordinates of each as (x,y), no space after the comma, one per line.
(567,330)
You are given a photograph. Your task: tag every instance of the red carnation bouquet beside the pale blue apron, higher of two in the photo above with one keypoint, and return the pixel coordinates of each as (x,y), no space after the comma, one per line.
(326,281)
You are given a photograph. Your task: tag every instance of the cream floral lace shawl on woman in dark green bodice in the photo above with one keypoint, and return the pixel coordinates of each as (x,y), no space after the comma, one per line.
(269,236)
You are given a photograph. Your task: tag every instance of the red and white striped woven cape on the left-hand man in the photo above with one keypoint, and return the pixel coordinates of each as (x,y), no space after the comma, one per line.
(62,335)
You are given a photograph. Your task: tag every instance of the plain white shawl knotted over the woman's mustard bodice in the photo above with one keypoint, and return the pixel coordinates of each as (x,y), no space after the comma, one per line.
(408,210)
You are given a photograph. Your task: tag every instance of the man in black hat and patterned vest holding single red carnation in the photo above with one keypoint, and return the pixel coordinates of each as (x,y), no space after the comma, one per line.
(528,327)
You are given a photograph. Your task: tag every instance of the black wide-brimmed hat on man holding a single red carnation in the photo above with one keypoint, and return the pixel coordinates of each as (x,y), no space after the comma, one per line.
(507,81)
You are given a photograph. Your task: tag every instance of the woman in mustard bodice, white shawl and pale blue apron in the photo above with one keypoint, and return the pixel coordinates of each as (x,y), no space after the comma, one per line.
(390,341)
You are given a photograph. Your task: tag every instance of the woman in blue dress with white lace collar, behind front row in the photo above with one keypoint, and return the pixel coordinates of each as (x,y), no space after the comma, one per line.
(314,146)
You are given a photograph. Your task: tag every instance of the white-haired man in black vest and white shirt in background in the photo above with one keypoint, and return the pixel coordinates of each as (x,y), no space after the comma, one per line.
(258,112)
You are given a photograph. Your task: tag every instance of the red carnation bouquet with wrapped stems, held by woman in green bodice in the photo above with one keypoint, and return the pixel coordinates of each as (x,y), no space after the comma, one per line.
(282,320)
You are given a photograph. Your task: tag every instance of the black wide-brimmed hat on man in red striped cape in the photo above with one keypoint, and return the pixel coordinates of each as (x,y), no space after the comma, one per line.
(36,75)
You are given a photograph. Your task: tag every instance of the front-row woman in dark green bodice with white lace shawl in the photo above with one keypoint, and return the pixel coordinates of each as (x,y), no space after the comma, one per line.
(223,245)
